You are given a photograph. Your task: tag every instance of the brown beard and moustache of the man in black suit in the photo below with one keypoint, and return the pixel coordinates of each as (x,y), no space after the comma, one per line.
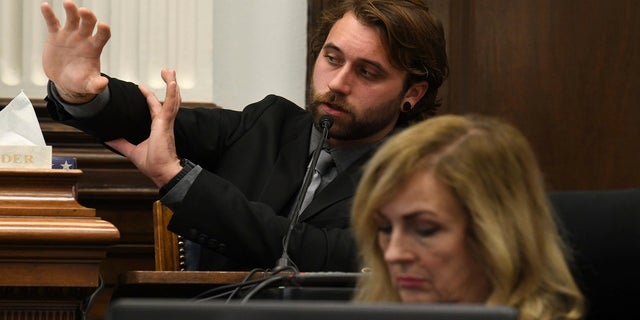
(353,126)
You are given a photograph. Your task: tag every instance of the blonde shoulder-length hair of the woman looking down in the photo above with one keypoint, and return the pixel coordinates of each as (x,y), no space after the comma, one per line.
(491,168)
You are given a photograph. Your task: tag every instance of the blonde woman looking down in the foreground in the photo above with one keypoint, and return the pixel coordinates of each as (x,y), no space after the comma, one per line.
(454,210)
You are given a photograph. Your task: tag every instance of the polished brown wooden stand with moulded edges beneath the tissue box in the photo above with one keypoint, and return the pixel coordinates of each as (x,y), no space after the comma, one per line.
(51,247)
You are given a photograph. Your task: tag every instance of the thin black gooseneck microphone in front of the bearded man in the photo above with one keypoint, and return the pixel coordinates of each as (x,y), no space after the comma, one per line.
(324,123)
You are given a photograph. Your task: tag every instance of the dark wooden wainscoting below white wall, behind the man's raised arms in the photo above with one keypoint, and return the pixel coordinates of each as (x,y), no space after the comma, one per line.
(120,194)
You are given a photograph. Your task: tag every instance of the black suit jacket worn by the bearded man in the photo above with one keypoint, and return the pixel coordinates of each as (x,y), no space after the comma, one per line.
(254,162)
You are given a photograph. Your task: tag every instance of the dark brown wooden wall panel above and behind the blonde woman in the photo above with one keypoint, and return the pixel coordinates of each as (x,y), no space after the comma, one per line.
(564,73)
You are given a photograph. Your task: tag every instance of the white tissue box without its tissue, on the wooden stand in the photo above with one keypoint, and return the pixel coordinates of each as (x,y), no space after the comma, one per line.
(37,157)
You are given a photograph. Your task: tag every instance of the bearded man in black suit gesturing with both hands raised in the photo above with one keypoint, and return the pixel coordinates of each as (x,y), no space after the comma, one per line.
(232,178)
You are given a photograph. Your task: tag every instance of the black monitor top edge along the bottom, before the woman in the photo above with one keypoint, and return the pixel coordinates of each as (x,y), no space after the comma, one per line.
(181,309)
